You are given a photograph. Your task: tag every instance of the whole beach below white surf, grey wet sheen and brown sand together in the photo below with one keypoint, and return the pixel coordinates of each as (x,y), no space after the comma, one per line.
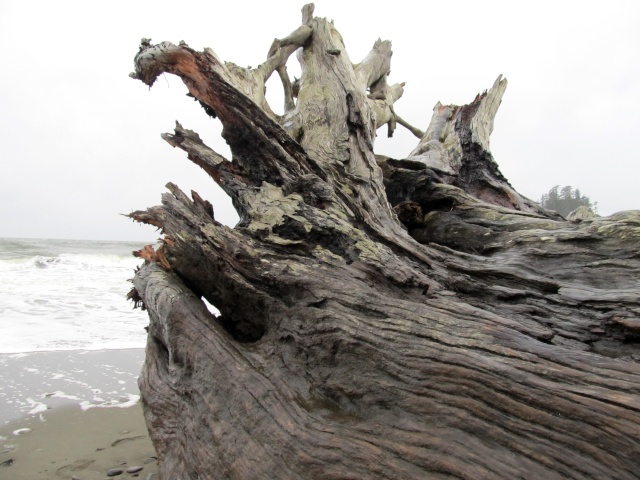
(73,415)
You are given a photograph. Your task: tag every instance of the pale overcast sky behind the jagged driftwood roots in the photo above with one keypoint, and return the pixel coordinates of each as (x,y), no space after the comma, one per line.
(80,141)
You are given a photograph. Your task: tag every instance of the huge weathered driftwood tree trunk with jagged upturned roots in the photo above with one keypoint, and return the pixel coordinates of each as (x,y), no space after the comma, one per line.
(380,318)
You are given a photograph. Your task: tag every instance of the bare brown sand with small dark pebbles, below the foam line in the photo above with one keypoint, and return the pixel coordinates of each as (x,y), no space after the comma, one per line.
(75,443)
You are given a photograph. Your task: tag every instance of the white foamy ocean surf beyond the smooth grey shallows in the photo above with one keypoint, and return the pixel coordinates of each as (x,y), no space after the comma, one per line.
(68,295)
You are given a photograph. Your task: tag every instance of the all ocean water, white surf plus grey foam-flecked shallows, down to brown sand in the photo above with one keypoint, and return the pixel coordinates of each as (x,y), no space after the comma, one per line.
(68,335)
